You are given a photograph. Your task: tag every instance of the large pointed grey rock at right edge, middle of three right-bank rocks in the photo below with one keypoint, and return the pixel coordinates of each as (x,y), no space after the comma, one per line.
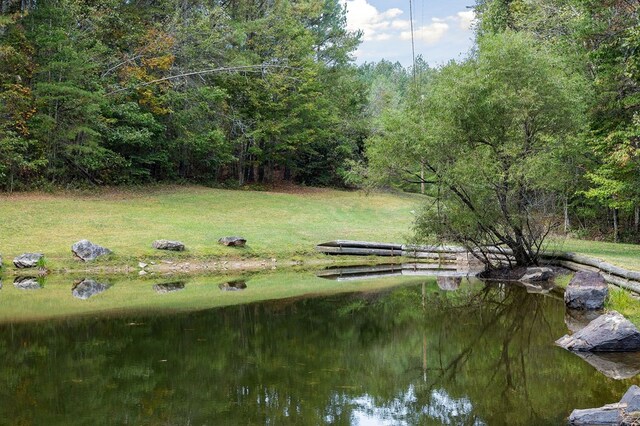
(610,332)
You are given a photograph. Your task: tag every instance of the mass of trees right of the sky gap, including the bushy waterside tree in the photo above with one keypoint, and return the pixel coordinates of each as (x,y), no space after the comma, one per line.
(537,131)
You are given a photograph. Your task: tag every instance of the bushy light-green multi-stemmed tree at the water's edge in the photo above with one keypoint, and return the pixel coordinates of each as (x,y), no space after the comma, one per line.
(490,126)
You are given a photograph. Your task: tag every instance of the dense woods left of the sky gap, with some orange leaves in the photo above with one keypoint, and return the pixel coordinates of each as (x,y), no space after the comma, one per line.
(121,92)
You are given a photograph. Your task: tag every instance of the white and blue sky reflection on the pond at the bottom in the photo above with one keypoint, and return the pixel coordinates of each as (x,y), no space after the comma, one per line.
(442,408)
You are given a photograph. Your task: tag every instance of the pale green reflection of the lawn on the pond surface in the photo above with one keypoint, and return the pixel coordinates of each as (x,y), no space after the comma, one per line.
(135,295)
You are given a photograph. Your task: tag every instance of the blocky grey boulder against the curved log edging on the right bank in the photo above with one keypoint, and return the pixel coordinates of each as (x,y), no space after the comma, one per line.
(586,290)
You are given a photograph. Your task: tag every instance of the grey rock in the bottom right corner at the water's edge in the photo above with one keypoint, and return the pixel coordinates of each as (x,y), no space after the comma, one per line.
(625,412)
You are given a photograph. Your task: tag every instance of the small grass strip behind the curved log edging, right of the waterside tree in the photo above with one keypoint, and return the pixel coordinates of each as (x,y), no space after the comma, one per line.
(624,255)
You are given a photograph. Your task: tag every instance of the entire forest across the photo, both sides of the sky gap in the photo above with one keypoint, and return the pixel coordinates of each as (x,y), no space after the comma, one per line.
(541,120)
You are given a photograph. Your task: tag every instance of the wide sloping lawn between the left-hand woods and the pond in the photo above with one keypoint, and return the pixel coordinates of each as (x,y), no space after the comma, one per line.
(280,225)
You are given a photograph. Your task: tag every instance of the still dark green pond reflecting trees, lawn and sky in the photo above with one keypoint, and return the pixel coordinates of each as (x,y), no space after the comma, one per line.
(390,350)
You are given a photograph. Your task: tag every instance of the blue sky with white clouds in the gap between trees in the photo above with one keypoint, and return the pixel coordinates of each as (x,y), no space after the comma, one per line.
(442,29)
